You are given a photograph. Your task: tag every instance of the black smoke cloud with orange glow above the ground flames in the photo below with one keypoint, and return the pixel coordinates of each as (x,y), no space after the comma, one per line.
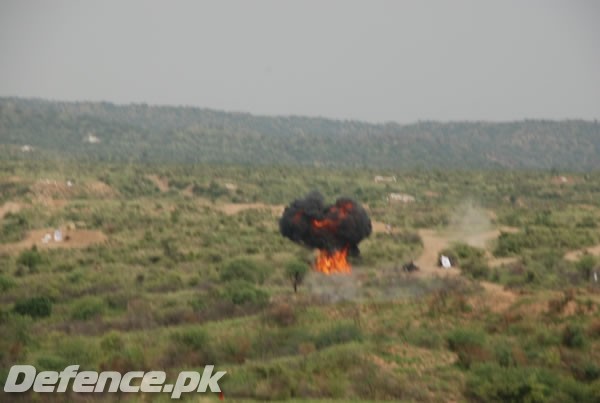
(332,227)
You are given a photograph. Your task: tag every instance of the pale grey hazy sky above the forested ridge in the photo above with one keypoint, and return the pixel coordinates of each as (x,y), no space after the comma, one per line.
(369,60)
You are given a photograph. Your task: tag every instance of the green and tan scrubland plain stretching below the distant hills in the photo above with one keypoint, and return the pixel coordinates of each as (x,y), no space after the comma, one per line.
(198,274)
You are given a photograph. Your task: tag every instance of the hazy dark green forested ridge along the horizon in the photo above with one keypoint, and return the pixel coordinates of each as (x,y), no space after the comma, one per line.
(137,132)
